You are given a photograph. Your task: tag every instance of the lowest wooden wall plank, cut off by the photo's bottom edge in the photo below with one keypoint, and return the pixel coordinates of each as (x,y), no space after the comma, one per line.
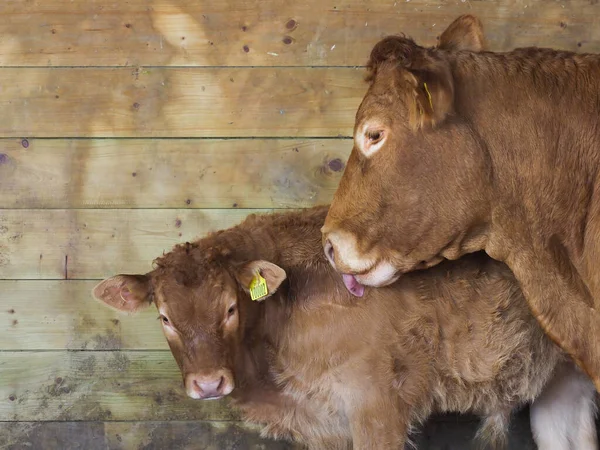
(172,435)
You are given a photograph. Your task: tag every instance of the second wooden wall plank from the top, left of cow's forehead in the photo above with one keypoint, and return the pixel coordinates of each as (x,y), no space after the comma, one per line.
(225,102)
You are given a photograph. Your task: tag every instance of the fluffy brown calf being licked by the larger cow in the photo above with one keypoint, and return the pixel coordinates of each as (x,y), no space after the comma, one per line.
(312,363)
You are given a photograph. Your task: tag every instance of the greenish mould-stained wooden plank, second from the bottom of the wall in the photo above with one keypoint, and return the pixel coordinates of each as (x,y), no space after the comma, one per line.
(43,386)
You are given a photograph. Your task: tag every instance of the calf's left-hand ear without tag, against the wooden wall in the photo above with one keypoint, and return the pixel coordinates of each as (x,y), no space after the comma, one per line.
(125,293)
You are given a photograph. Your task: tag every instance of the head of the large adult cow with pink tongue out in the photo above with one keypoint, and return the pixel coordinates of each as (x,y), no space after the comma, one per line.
(413,174)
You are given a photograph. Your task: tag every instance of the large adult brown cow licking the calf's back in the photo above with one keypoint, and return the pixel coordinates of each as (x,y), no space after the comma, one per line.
(458,150)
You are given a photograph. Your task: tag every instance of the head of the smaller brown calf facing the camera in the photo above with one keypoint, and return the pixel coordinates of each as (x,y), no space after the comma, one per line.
(204,308)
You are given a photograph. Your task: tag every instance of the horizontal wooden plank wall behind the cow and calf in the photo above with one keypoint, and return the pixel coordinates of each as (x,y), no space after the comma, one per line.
(129,126)
